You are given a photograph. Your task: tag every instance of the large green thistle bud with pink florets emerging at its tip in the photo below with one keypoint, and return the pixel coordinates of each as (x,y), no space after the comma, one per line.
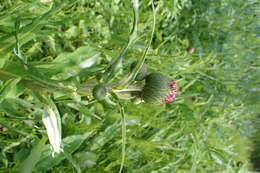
(158,89)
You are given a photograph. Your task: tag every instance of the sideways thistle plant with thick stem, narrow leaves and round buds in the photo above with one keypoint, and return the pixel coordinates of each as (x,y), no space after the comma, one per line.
(107,89)
